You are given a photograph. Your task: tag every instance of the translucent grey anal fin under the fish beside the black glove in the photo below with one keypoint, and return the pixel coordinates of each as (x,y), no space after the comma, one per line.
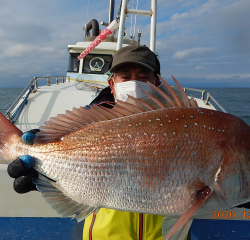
(63,204)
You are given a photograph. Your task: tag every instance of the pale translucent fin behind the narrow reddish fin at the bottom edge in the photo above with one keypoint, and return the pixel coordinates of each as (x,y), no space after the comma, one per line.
(169,221)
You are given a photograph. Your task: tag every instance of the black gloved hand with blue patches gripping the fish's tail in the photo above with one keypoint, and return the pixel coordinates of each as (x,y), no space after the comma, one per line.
(21,169)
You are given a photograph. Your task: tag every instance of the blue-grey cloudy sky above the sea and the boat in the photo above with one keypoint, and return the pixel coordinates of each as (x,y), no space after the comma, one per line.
(202,43)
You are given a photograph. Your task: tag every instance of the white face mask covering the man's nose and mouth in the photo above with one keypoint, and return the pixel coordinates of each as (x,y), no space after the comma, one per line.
(130,88)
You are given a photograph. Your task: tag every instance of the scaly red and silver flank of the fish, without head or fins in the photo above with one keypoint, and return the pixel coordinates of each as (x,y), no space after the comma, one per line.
(115,171)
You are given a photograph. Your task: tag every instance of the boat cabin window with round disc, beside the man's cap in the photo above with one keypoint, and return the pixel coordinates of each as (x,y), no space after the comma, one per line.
(96,63)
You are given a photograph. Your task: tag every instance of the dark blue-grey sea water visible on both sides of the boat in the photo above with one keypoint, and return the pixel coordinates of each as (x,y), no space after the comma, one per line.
(235,101)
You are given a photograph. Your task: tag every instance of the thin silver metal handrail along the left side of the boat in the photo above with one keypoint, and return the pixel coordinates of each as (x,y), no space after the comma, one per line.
(34,83)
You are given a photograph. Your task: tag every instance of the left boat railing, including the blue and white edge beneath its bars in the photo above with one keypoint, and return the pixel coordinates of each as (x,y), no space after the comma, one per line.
(15,109)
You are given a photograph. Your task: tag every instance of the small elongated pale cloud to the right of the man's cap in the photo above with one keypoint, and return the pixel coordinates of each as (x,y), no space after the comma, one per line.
(192,53)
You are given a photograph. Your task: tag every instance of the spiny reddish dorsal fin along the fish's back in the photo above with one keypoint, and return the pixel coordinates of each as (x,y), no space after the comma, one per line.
(157,98)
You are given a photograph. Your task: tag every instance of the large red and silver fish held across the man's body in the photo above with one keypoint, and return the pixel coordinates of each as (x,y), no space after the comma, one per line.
(163,155)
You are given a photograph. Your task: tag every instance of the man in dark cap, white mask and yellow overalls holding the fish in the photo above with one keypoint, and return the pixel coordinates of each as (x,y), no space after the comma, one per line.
(130,69)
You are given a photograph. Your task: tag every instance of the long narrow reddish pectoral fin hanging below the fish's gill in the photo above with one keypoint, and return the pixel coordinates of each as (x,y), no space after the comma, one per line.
(201,198)
